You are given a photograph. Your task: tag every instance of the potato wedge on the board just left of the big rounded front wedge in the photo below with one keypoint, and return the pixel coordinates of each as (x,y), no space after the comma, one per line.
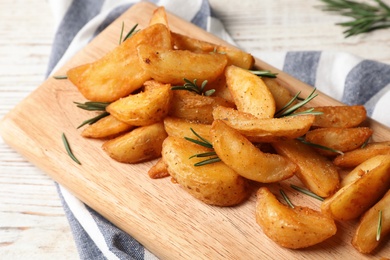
(141,144)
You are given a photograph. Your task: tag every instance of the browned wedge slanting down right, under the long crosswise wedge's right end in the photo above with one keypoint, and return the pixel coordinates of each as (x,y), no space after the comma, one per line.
(315,171)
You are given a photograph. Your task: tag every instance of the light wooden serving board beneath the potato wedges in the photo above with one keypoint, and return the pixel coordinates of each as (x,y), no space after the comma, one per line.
(159,214)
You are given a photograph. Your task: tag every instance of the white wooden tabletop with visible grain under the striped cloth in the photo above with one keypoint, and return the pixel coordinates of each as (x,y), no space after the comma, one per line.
(32,222)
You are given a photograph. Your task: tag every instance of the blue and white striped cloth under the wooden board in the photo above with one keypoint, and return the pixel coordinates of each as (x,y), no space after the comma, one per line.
(345,77)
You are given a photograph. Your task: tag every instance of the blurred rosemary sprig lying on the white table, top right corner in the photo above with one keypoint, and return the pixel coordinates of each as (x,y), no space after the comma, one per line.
(365,17)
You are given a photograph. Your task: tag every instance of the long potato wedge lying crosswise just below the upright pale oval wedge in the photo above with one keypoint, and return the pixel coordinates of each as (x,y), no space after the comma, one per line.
(264,129)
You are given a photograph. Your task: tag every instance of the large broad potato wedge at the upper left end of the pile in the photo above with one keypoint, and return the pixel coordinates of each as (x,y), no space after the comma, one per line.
(102,80)
